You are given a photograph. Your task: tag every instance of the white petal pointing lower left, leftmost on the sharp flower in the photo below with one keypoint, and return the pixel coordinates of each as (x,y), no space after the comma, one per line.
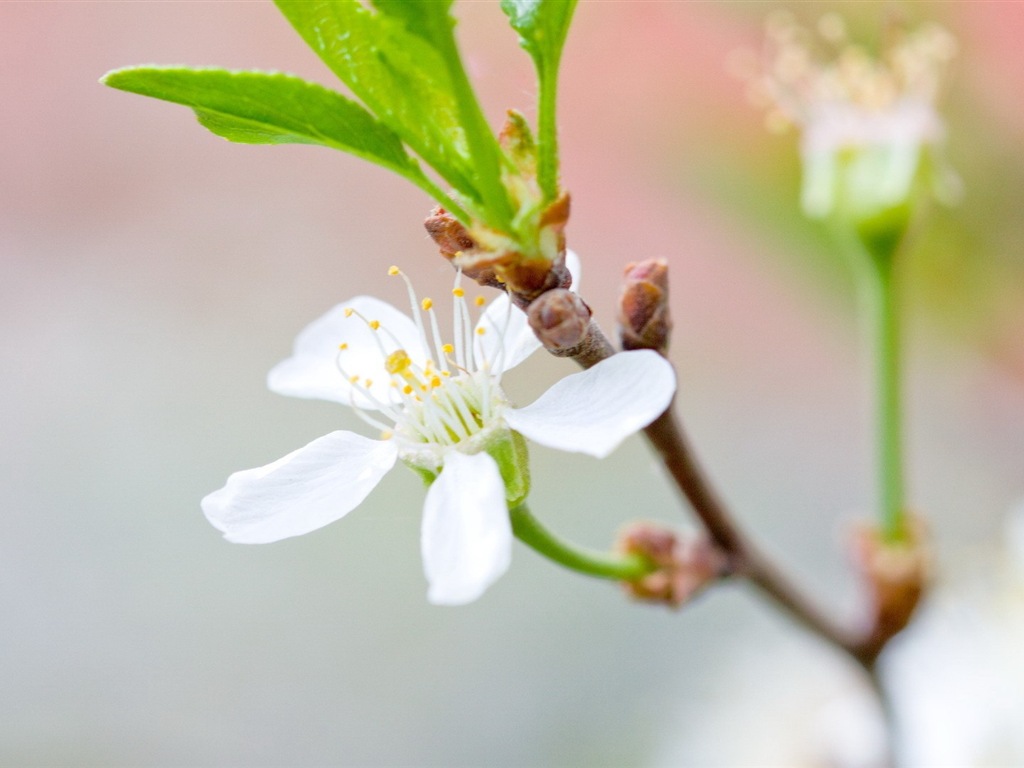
(305,491)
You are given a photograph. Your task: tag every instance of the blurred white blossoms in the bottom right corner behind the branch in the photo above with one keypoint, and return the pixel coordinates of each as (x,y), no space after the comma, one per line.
(956,677)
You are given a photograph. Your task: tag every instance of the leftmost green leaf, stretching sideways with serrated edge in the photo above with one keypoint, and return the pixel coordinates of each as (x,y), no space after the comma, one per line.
(259,108)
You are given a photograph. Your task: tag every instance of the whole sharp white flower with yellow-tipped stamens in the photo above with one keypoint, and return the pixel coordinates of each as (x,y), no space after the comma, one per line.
(441,410)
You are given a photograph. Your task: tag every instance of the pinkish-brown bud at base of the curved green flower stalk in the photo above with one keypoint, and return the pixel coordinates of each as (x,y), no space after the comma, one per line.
(685,567)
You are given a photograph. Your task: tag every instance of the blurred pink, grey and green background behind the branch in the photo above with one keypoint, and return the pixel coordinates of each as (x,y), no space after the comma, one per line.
(152,274)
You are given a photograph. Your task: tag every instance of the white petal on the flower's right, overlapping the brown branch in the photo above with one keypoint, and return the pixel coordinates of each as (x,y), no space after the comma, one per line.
(592,412)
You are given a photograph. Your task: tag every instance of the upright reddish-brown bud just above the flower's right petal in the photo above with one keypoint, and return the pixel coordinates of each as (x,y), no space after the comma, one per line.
(645,319)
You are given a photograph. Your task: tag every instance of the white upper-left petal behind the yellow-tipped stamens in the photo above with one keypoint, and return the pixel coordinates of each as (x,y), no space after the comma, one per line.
(314,371)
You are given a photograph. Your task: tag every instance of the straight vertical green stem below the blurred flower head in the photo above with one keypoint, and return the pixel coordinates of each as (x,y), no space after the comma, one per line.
(880,288)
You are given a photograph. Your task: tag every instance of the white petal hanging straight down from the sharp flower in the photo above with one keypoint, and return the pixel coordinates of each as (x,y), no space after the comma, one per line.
(467,536)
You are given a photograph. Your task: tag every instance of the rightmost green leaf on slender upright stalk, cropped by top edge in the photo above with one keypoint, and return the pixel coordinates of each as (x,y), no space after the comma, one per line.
(543,26)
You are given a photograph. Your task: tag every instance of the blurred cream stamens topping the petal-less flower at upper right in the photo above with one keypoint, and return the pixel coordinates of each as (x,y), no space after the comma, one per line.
(803,72)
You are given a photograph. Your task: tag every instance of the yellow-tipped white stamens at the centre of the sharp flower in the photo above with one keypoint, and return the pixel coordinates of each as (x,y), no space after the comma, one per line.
(451,397)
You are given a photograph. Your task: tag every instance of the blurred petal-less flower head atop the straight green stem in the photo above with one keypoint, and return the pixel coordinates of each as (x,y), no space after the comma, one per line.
(866,123)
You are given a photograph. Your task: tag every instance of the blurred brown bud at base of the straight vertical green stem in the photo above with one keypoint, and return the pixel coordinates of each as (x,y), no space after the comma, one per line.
(895,575)
